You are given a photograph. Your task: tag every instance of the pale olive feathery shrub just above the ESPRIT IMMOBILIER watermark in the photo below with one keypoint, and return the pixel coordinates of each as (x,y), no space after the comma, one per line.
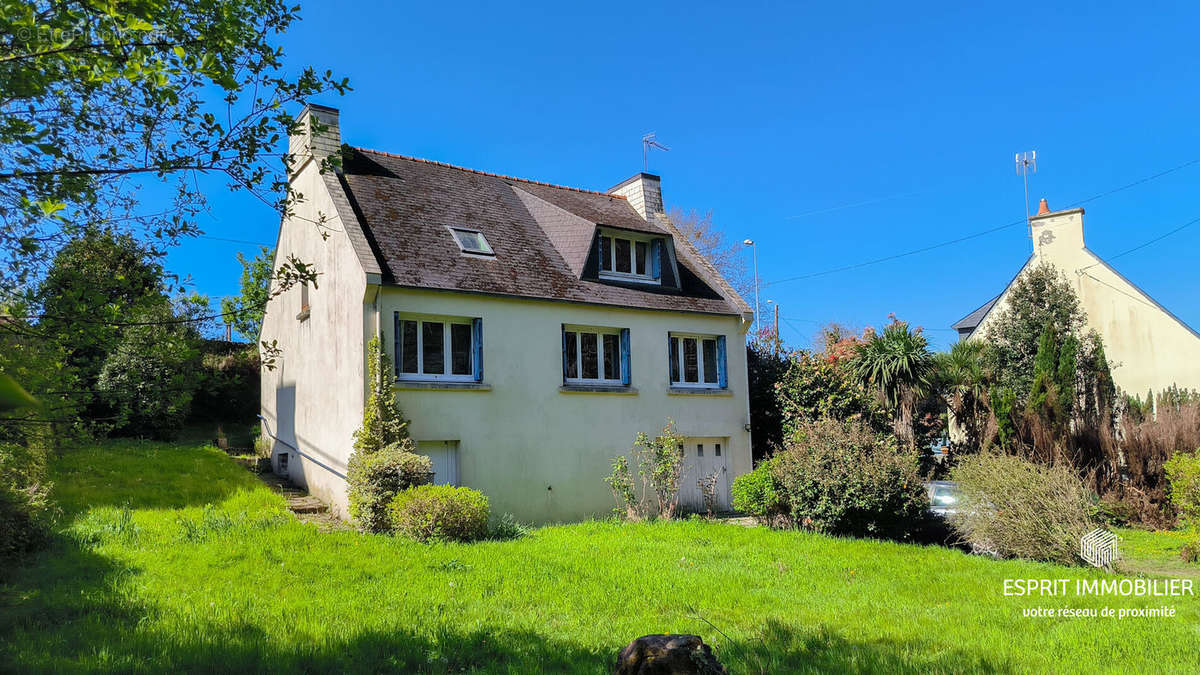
(1018,509)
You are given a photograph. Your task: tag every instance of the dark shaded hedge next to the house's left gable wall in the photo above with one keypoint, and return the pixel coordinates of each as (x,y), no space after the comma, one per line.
(229,389)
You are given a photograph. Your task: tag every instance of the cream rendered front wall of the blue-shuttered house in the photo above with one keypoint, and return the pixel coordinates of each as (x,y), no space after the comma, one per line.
(543,455)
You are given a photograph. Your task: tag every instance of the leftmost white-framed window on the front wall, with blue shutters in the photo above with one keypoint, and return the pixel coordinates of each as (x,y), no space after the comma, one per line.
(439,349)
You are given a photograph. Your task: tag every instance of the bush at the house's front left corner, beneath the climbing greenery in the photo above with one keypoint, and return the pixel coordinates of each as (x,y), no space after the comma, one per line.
(376,479)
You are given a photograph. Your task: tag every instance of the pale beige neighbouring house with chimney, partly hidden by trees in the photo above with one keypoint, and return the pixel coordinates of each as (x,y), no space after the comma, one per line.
(1149,348)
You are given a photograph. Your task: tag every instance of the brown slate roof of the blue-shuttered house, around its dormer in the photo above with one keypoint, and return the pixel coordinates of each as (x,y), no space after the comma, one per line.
(543,236)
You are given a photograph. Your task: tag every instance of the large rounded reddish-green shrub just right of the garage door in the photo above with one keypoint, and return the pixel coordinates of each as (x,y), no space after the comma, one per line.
(845,479)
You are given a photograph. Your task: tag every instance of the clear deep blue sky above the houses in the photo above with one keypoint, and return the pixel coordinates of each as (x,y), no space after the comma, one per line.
(831,134)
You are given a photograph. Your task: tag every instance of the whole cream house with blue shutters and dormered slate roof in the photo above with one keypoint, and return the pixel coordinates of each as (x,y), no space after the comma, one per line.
(532,330)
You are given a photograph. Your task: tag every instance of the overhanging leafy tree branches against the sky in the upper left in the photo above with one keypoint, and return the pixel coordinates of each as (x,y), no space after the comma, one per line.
(100,99)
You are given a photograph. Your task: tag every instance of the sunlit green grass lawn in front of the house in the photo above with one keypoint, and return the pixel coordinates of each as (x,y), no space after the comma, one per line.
(171,558)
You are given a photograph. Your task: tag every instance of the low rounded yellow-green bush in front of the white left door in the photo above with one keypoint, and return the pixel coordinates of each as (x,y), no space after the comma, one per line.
(440,513)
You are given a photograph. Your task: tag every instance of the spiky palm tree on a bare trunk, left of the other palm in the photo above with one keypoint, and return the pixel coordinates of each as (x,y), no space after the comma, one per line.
(898,363)
